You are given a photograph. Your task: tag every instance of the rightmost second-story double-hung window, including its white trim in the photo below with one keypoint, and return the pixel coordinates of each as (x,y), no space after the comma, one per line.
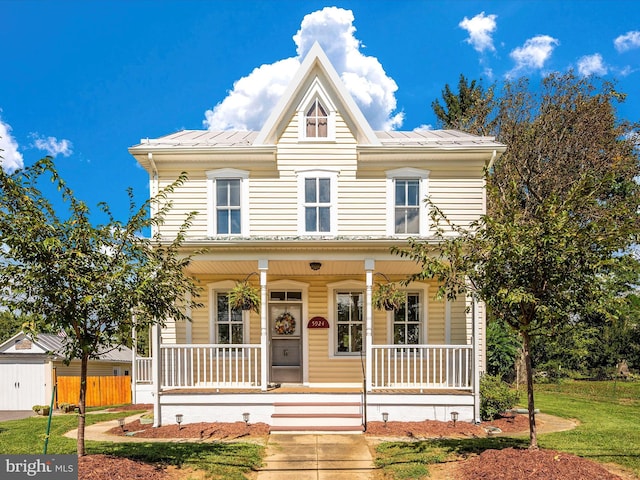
(406,210)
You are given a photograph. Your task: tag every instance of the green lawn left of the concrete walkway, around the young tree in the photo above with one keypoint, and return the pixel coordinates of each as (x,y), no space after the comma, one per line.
(219,460)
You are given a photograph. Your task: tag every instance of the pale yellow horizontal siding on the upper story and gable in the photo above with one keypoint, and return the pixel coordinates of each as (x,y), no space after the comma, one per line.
(361,201)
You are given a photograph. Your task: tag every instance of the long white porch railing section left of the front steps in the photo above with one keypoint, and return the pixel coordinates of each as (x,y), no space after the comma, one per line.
(211,365)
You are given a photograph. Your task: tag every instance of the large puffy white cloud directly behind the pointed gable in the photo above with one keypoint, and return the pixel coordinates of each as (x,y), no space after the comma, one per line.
(252,98)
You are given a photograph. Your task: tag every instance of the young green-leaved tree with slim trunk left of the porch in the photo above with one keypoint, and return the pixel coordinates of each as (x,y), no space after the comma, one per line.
(90,283)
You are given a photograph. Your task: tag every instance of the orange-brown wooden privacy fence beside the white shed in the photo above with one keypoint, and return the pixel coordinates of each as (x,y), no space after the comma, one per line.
(101,391)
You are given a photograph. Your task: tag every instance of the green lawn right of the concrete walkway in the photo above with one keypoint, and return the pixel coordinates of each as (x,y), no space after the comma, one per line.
(609,430)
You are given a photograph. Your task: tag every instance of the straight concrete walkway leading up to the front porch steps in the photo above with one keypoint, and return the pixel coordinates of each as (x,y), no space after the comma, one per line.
(316,457)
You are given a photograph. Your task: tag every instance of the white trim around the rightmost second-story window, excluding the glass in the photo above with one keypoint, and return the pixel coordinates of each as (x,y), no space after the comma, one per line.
(407,174)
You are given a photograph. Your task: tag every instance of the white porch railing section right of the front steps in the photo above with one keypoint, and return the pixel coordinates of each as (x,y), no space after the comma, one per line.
(422,366)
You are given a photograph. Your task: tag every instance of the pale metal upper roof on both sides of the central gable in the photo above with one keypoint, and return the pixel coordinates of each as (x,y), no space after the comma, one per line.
(245,138)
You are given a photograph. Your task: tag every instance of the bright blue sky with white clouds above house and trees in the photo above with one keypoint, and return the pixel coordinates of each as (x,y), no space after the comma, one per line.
(83,81)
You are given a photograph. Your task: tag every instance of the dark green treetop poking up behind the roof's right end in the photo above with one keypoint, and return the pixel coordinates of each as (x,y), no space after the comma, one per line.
(470,110)
